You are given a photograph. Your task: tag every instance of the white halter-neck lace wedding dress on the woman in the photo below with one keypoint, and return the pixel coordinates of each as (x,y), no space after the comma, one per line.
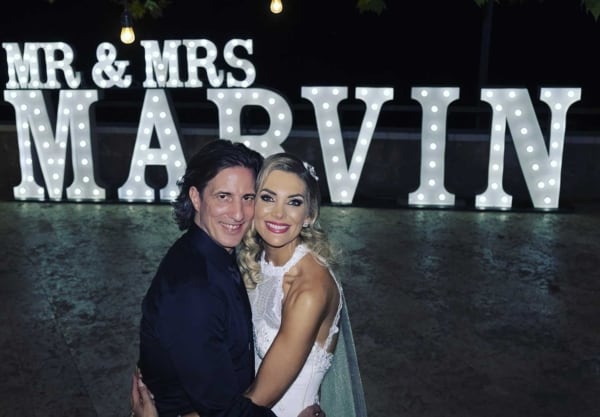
(266,301)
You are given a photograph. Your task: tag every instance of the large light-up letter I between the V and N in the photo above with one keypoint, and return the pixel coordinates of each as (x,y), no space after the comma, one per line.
(434,102)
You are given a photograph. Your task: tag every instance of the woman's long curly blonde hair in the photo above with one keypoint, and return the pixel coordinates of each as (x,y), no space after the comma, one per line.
(312,236)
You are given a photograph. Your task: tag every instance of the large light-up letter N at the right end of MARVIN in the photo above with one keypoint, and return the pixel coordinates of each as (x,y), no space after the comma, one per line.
(541,168)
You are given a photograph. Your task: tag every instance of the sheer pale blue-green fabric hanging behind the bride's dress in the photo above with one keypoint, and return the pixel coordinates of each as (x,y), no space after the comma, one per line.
(341,390)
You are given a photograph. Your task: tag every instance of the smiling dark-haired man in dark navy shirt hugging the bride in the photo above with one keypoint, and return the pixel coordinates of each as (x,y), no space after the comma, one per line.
(196,337)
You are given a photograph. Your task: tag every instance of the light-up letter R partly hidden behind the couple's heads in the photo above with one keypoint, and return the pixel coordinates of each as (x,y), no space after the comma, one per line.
(230,102)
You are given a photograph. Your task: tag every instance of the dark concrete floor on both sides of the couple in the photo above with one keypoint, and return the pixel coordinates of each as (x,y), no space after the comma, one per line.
(455,313)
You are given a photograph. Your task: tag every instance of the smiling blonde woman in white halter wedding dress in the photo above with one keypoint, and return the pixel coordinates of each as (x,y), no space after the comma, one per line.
(295,299)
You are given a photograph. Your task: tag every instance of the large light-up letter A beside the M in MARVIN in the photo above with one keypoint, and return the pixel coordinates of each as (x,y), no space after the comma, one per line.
(156,113)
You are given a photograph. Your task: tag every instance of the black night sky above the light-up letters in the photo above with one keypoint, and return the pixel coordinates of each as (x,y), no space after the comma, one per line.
(413,43)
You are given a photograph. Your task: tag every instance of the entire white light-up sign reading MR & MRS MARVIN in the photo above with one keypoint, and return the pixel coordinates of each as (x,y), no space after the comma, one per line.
(35,67)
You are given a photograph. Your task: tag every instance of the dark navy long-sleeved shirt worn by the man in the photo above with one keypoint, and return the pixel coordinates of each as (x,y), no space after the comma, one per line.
(196,343)
